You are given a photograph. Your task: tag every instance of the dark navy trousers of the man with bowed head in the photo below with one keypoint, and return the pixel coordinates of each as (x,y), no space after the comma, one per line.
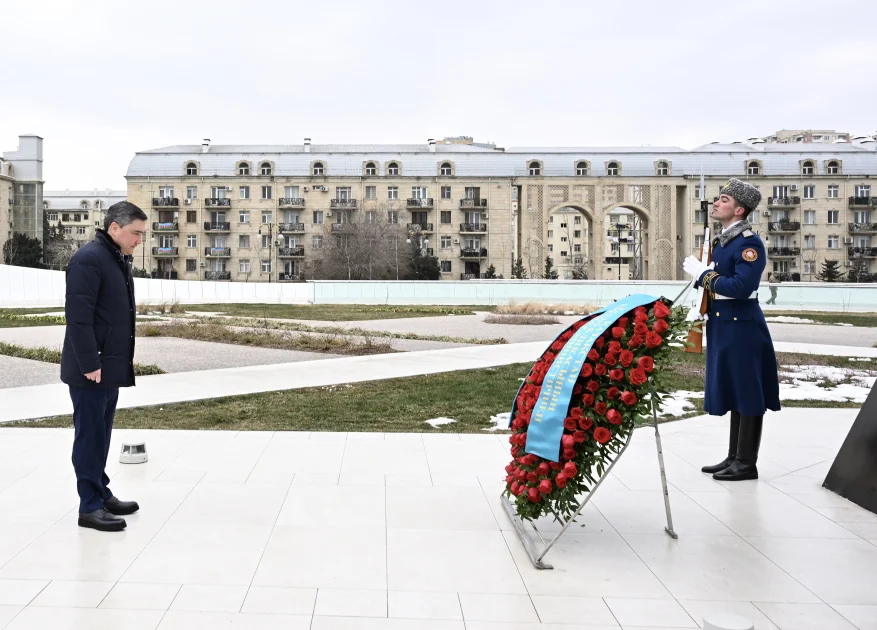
(93,411)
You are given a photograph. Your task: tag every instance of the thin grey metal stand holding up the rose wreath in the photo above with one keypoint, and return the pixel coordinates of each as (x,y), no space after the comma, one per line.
(531,546)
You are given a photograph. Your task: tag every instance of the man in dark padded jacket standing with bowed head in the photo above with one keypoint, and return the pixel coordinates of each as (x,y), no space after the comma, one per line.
(98,356)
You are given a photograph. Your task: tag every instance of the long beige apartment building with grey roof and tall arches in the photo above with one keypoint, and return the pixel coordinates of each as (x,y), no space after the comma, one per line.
(255,212)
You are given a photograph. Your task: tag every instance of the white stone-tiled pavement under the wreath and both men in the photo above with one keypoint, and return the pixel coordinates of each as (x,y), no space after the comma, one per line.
(327,531)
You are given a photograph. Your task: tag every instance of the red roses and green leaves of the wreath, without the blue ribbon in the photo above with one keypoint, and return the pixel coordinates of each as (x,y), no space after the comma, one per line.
(609,399)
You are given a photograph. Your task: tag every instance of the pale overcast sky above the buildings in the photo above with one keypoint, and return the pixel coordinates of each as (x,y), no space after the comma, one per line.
(100,80)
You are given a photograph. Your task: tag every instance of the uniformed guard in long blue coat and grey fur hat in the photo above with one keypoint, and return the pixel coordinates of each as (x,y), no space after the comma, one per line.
(741,365)
